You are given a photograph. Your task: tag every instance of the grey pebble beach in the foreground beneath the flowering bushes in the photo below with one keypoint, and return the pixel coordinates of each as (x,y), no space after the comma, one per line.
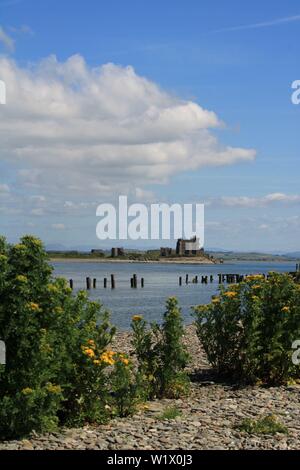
(208,417)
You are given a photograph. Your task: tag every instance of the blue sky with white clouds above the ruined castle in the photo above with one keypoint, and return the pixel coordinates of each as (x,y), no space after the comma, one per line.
(176,102)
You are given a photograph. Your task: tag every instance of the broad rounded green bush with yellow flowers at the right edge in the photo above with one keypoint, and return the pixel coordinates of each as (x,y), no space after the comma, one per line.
(248,330)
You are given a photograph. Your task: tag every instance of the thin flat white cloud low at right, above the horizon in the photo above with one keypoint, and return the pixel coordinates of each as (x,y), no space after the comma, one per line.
(249,202)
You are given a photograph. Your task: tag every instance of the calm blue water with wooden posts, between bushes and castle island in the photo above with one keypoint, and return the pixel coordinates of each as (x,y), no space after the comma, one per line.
(161,282)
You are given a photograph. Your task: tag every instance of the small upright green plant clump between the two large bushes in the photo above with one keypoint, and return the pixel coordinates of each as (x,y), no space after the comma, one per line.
(161,354)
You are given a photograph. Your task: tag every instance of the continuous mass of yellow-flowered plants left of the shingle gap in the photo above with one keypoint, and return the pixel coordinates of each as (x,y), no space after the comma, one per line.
(60,369)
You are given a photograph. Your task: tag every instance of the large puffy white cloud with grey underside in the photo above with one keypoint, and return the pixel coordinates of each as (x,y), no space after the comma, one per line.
(69,127)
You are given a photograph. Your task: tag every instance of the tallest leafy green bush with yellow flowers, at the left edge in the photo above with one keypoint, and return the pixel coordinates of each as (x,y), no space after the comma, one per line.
(54,342)
